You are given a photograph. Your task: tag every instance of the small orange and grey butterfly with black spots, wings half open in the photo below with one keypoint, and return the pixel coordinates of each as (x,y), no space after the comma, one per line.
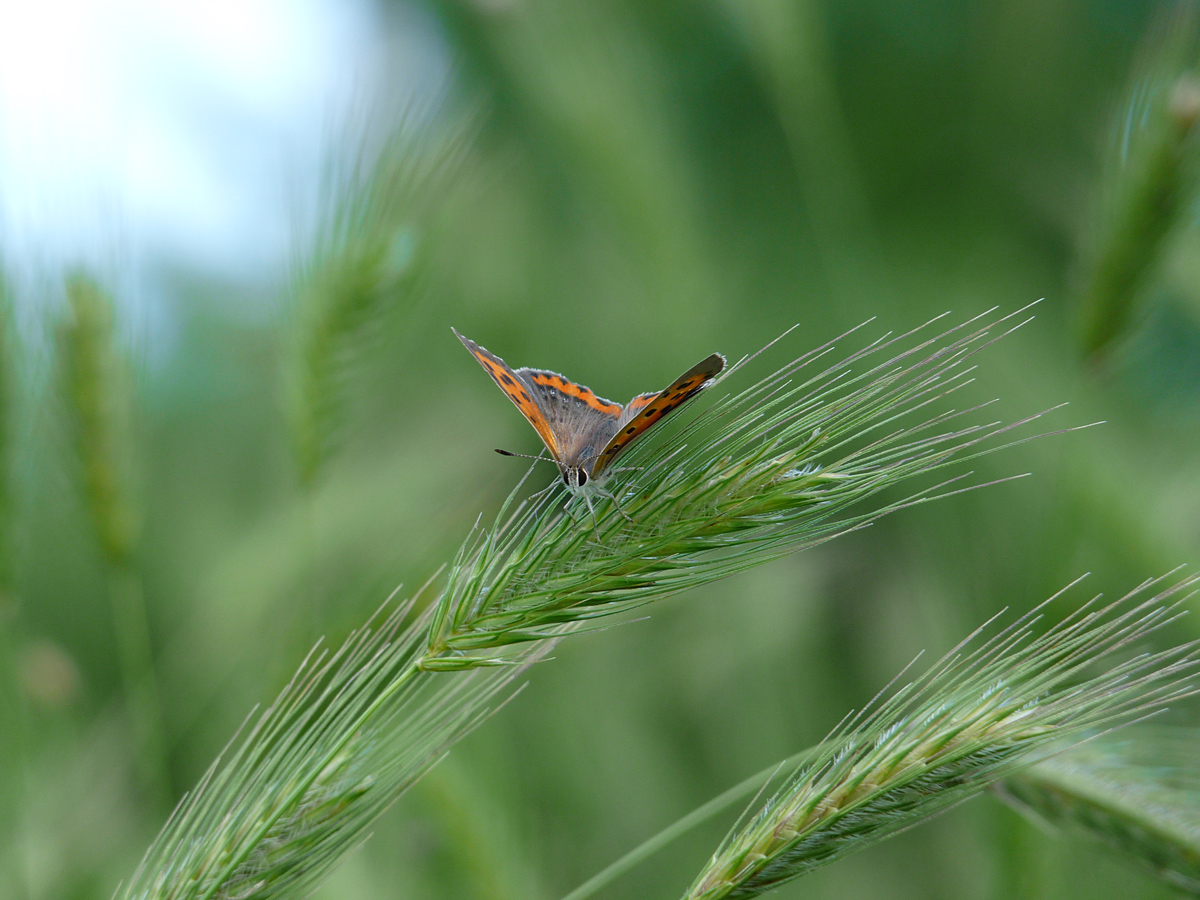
(583,431)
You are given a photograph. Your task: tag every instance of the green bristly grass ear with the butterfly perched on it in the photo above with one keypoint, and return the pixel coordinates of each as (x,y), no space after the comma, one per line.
(772,470)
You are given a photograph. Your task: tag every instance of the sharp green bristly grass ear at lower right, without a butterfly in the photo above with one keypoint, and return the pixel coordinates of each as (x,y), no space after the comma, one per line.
(982,712)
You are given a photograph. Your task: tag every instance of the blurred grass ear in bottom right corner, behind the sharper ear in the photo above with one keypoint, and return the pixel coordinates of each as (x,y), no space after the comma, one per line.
(1136,791)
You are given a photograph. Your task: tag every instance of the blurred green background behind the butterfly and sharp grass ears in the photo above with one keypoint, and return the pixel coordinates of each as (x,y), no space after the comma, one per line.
(613,191)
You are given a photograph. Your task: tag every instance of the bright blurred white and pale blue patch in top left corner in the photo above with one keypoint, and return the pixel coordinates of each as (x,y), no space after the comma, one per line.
(154,129)
